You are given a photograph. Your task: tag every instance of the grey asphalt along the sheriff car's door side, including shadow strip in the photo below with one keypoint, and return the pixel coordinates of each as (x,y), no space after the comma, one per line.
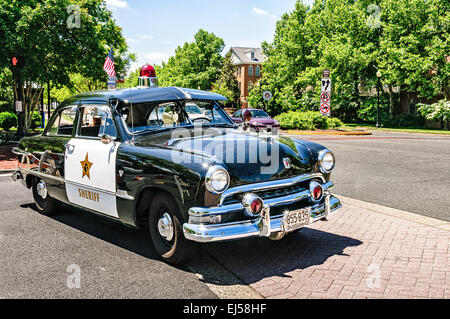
(38,254)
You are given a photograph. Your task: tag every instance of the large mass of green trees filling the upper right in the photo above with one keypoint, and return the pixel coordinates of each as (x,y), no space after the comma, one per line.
(406,40)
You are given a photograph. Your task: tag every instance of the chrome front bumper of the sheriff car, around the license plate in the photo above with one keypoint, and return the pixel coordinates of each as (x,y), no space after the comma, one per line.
(262,226)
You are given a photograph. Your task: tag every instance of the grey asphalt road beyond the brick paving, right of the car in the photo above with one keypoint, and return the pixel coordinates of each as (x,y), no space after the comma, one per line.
(409,172)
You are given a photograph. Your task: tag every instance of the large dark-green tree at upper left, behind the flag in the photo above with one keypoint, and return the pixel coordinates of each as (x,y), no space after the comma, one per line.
(56,38)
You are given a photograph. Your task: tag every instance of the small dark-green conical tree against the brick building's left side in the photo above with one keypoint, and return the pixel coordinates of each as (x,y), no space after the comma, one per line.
(227,84)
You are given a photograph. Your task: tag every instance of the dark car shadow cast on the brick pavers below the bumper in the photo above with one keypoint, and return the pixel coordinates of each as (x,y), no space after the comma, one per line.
(255,259)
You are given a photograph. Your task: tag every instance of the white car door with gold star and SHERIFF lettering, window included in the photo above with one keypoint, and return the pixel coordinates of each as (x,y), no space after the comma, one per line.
(90,163)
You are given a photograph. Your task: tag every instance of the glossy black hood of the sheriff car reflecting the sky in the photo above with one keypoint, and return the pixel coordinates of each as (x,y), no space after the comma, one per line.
(248,157)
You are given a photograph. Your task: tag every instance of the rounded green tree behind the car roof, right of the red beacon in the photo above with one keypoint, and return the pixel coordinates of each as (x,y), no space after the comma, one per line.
(195,65)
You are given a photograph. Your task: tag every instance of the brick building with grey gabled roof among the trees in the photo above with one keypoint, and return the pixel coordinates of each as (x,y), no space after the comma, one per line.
(249,62)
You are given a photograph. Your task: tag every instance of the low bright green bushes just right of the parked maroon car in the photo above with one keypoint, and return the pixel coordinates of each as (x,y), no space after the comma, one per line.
(308,120)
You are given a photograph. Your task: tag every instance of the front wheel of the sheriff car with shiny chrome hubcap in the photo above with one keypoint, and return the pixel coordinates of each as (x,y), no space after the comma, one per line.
(166,230)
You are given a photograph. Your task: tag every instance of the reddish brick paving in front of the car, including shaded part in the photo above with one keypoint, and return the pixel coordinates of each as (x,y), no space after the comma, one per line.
(358,253)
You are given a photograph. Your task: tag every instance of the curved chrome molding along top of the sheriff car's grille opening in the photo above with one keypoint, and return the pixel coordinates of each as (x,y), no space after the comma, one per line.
(268,185)
